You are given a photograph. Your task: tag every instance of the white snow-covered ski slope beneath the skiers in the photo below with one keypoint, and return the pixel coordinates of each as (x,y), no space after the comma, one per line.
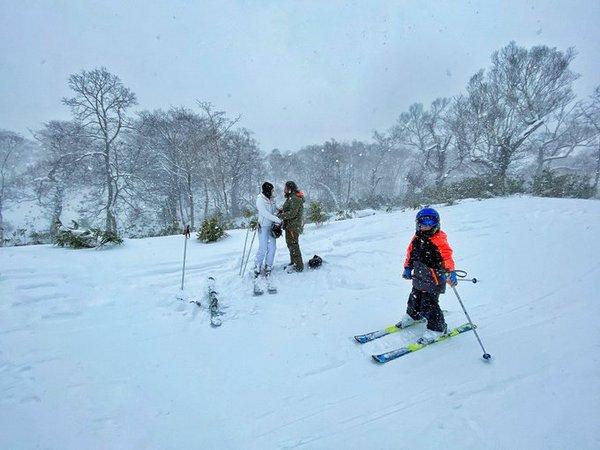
(97,352)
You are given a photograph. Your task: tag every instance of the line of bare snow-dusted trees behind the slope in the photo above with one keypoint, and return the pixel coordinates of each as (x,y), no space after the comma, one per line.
(517,127)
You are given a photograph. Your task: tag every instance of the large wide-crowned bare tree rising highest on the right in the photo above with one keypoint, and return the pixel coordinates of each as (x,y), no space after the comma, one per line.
(507,104)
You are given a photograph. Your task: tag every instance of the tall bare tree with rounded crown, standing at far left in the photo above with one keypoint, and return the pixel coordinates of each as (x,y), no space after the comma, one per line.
(100,105)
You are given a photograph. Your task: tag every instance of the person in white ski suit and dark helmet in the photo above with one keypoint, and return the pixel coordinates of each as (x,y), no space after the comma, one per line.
(267,244)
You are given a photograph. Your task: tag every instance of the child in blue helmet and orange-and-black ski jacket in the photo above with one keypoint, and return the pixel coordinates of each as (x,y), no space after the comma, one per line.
(428,260)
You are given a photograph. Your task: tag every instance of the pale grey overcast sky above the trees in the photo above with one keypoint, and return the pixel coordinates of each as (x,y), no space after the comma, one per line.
(299,73)
